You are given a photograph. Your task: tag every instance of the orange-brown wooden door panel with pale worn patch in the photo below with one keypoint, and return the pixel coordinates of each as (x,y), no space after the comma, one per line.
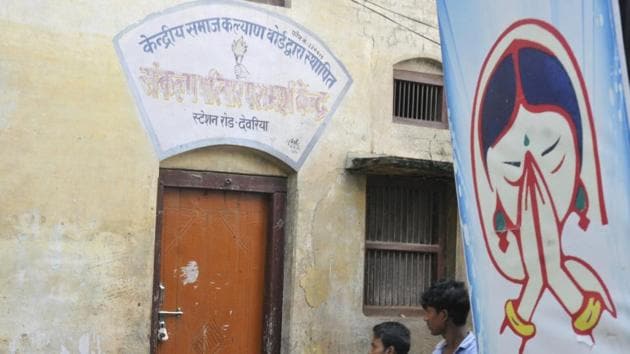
(213,247)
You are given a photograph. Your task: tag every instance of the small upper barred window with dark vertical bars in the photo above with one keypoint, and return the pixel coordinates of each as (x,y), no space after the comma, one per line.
(419,99)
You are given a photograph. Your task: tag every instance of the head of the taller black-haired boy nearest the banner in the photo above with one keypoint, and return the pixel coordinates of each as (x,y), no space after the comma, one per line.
(445,302)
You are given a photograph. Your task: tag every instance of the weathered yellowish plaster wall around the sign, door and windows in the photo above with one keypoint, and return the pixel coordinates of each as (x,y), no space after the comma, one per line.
(78,178)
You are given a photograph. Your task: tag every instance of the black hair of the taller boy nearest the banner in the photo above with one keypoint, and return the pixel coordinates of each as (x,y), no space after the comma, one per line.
(449,295)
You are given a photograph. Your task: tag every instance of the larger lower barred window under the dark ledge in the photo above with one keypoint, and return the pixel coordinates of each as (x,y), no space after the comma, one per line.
(405,241)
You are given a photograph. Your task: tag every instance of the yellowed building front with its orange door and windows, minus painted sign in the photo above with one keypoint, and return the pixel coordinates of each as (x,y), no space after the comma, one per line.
(346,239)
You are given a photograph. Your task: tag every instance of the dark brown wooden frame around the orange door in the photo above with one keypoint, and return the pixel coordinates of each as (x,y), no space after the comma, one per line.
(276,189)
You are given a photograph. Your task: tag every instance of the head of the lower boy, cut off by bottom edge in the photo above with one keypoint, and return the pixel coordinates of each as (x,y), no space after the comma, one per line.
(390,338)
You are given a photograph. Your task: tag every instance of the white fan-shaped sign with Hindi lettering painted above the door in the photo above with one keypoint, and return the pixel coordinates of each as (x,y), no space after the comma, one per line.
(225,72)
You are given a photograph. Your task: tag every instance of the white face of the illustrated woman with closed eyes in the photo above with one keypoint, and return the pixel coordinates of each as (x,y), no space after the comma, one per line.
(540,146)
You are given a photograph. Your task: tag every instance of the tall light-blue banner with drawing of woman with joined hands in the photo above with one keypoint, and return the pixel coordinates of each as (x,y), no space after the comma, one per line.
(538,107)
